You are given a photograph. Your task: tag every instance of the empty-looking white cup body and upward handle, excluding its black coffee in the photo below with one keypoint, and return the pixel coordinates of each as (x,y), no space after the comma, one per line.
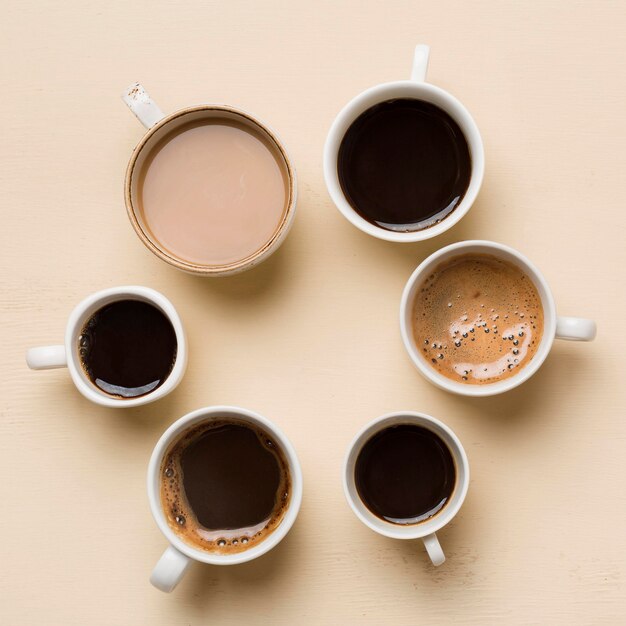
(418,89)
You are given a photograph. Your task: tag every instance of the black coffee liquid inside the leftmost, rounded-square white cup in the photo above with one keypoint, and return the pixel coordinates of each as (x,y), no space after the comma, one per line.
(128,348)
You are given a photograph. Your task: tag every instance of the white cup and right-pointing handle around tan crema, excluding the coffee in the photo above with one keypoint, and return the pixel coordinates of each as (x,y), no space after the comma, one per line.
(572,328)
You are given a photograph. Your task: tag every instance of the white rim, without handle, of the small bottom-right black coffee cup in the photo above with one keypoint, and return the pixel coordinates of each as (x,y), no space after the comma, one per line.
(422,529)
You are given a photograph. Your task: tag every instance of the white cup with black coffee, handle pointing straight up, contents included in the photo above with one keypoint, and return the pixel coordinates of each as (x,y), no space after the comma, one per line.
(404,161)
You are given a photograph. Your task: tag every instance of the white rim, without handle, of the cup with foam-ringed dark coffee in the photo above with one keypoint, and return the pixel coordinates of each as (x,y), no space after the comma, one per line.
(153,484)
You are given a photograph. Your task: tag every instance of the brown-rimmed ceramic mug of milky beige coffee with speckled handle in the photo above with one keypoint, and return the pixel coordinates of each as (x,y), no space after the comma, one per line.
(209,189)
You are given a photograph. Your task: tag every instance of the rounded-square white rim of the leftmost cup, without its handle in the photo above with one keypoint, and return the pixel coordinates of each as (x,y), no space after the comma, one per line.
(79,316)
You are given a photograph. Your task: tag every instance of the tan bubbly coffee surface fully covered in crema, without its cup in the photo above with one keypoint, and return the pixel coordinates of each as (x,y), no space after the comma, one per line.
(477,319)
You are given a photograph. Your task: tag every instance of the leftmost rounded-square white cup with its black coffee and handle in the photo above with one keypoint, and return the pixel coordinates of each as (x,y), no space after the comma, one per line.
(124,347)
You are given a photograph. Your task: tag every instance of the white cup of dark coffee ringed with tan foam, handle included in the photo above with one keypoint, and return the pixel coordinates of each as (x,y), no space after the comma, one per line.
(225,487)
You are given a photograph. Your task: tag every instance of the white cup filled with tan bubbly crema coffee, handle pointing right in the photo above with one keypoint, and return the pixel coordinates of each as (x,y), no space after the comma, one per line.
(478,319)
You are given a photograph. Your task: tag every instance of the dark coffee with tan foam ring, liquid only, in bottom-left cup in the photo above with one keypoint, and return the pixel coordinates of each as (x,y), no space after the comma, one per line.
(225,486)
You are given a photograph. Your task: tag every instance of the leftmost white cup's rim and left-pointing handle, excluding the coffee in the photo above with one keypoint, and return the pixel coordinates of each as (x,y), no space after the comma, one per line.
(66,355)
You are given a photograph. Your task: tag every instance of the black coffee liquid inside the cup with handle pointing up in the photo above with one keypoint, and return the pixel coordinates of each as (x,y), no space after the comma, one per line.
(404,165)
